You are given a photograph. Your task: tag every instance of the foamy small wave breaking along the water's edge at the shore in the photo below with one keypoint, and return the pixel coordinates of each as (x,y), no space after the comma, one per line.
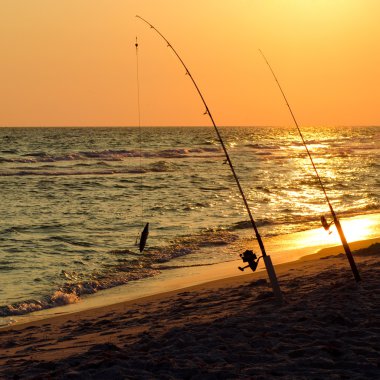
(128,266)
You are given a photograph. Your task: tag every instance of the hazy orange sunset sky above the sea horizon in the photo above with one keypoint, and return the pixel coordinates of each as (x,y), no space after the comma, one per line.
(73,63)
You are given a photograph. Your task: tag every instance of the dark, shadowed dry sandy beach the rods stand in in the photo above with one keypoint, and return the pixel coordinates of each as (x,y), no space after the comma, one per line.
(327,328)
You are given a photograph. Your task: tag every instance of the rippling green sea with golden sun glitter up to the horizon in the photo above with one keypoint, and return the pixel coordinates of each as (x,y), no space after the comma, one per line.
(74,200)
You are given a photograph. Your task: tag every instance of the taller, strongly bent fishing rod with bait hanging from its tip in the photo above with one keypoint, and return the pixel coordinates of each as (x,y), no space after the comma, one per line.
(267,259)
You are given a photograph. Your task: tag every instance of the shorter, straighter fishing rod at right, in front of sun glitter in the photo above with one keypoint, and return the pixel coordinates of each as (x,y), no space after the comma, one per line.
(333,214)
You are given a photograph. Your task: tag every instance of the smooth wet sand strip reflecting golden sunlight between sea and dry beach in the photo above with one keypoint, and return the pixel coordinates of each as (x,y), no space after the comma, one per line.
(283,249)
